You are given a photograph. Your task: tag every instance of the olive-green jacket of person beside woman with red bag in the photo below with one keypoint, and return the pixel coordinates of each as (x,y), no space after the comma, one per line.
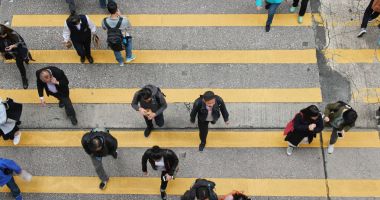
(335,111)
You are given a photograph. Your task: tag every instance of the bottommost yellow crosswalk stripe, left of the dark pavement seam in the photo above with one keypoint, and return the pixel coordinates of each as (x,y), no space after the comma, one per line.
(150,186)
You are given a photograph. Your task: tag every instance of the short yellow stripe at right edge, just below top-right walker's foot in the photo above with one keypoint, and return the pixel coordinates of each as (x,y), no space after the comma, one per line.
(353,55)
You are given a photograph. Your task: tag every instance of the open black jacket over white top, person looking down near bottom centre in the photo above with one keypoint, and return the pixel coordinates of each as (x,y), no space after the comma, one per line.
(170,160)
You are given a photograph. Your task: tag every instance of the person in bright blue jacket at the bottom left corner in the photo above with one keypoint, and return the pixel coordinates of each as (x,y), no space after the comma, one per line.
(7,169)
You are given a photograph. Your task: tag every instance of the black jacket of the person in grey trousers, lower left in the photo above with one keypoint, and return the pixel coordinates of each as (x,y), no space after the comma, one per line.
(109,143)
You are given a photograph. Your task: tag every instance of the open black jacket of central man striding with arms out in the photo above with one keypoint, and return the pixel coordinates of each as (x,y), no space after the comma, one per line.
(199,108)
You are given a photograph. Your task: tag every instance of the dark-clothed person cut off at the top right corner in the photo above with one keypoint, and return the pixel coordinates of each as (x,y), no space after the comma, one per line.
(371,13)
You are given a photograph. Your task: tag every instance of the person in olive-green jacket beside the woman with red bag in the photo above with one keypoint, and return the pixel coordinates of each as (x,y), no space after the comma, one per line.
(341,117)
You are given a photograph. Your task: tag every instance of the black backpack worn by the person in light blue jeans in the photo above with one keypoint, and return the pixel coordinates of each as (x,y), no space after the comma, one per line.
(114,35)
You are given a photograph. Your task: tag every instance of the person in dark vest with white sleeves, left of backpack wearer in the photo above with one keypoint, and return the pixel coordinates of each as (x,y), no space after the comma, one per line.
(77,32)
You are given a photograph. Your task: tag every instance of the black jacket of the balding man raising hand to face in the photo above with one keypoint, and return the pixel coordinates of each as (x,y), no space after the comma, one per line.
(62,88)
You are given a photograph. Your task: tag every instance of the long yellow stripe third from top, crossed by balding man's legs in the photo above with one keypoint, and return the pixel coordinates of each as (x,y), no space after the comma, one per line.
(122,95)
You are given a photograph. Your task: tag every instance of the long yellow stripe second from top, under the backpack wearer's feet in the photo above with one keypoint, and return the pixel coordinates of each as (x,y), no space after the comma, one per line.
(184,56)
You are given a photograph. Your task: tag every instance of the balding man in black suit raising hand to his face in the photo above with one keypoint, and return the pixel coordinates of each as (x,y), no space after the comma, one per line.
(55,83)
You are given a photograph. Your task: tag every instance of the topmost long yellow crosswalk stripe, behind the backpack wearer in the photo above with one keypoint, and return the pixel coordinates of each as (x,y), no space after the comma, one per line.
(171,20)
